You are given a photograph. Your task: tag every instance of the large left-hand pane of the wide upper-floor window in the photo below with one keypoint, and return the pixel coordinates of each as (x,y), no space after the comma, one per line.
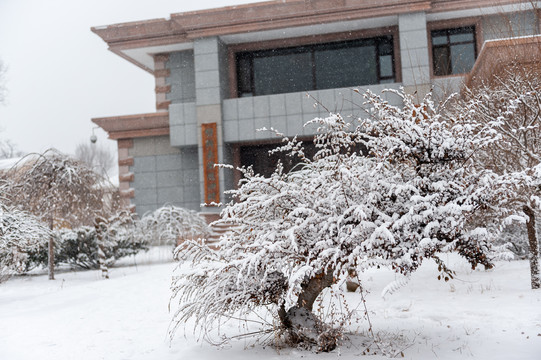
(282,73)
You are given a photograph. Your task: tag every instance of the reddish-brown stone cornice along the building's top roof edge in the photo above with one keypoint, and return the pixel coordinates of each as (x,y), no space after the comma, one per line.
(270,15)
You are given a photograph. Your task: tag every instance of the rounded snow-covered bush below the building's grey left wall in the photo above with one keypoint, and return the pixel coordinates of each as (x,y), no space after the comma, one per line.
(172,224)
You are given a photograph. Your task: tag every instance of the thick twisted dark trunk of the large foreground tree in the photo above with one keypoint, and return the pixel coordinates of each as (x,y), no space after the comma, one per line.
(300,322)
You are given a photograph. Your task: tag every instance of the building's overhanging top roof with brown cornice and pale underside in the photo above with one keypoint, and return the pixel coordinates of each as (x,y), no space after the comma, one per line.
(139,41)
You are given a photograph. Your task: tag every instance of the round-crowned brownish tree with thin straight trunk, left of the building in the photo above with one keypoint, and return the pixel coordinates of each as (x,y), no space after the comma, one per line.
(57,189)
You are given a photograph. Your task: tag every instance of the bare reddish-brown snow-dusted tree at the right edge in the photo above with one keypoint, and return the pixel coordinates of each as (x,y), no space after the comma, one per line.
(511,104)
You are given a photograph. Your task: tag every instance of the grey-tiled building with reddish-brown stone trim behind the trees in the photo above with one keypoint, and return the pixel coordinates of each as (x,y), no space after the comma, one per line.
(223,73)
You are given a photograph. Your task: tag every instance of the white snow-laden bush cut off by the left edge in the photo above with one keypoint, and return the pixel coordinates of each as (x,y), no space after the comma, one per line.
(20,235)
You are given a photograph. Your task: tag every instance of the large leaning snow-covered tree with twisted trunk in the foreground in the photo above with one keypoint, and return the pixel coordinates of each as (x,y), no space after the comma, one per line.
(390,191)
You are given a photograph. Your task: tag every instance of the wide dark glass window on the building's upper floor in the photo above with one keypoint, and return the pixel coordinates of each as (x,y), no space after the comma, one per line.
(313,67)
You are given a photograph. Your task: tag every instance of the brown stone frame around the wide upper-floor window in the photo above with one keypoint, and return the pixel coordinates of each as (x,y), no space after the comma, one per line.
(312,41)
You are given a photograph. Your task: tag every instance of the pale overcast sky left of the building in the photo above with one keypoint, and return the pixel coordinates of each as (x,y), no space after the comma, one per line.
(60,74)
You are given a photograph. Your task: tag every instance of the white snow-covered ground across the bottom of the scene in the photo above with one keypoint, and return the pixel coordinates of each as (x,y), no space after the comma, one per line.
(480,315)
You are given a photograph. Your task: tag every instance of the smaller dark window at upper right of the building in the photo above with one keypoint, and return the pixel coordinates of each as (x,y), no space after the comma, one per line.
(453,50)
